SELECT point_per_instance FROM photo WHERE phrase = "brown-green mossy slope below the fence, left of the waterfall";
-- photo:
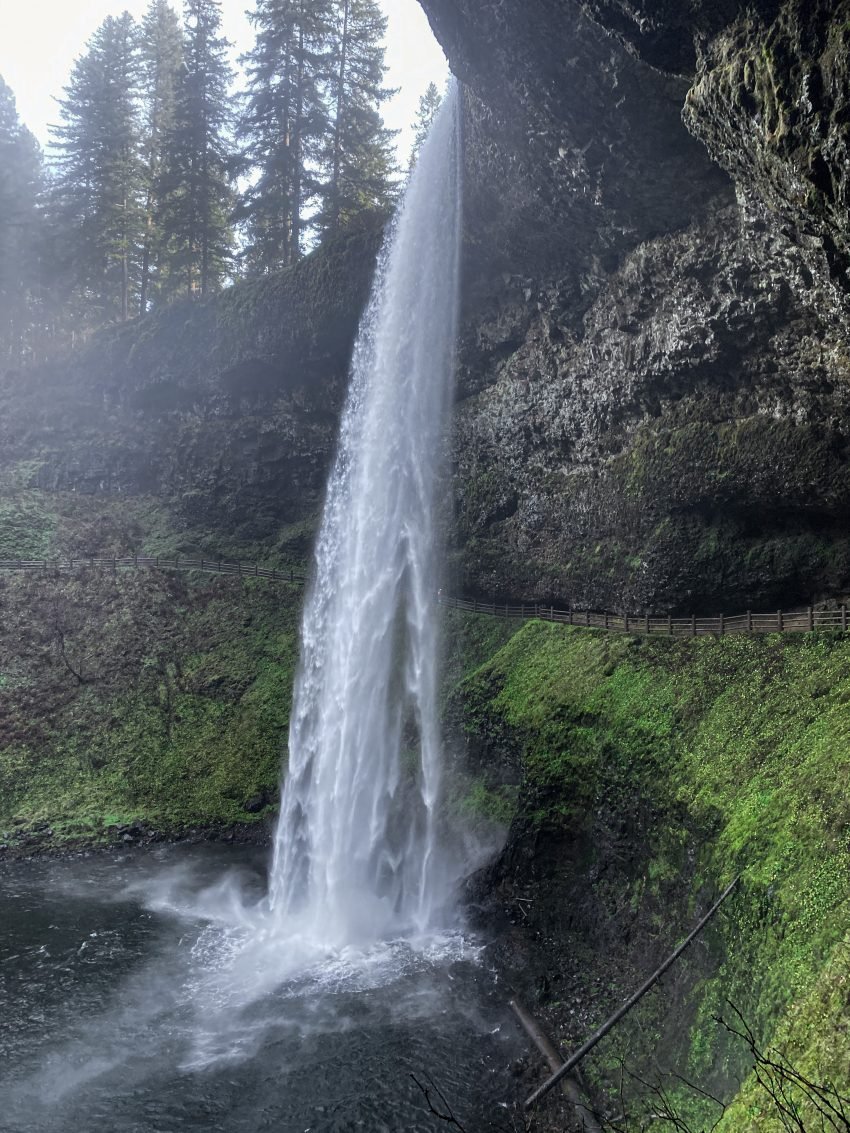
(142, 697)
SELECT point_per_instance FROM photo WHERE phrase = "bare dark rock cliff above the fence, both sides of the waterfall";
(653, 364)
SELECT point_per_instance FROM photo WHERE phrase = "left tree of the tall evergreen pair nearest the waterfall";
(284, 126)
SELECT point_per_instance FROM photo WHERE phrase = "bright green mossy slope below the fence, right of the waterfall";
(738, 751)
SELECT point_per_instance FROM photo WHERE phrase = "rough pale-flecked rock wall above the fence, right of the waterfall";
(684, 446)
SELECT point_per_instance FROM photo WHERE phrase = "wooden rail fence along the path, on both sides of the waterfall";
(804, 620)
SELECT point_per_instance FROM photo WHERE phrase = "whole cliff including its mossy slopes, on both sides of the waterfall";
(652, 416)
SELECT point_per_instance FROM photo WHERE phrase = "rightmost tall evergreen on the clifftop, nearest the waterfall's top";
(360, 156)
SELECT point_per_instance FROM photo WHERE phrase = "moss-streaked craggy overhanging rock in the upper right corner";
(772, 104)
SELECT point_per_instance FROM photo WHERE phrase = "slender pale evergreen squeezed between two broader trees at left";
(161, 55)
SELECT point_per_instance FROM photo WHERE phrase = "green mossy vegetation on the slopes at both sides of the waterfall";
(165, 700)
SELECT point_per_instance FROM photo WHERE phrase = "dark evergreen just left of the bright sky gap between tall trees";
(195, 183)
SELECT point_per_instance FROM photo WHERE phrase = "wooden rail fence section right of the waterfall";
(781, 621)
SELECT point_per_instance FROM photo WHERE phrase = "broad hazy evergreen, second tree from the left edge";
(99, 186)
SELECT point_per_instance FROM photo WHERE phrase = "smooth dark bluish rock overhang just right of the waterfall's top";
(574, 143)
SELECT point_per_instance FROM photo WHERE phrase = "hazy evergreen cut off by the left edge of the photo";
(20, 232)
